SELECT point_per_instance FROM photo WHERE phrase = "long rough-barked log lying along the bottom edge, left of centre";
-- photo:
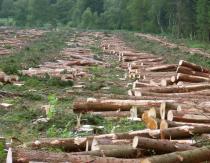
(24, 156)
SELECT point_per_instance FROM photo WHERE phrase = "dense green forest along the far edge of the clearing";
(184, 18)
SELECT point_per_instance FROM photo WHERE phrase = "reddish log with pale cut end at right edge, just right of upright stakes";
(181, 116)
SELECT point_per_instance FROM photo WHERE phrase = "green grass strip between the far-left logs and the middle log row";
(46, 48)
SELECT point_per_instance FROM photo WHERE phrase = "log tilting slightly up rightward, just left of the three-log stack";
(163, 68)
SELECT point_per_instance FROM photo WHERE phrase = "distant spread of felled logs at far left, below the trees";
(12, 39)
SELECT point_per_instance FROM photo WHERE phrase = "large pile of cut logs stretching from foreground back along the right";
(171, 99)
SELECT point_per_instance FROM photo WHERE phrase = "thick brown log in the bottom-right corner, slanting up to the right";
(195, 155)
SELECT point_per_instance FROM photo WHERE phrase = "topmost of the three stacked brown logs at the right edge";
(193, 66)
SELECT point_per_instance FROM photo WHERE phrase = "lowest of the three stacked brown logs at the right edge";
(191, 78)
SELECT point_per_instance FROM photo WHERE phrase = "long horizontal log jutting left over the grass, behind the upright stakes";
(98, 105)
